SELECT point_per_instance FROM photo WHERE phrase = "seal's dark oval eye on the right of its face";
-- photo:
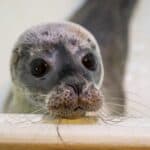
(89, 61)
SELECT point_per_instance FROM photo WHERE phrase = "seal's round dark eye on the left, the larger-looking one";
(39, 67)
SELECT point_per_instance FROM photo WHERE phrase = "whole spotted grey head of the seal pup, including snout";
(58, 66)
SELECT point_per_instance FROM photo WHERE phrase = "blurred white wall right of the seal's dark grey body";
(138, 70)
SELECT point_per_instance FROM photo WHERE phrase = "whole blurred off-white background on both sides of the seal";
(18, 15)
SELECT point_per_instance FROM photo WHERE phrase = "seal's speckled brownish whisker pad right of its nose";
(91, 99)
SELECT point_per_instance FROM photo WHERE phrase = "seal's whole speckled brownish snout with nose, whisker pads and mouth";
(74, 99)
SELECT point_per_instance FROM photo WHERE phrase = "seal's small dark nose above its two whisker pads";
(77, 87)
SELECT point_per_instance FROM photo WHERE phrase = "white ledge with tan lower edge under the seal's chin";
(19, 131)
